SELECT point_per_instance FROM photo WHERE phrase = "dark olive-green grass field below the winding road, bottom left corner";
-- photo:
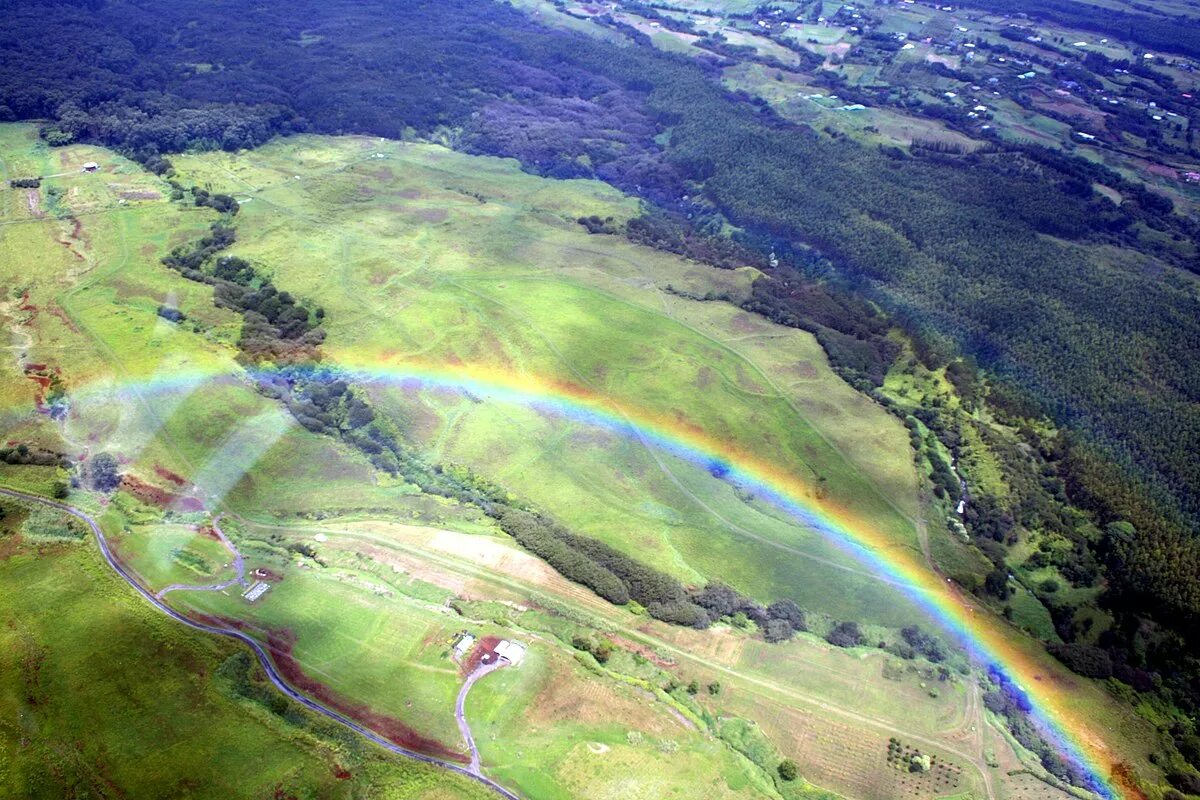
(100, 696)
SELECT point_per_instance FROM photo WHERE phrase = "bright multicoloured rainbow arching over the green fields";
(1016, 663)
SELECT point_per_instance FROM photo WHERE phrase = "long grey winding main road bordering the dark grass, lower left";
(263, 658)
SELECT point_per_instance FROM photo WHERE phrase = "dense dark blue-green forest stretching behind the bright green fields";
(1076, 308)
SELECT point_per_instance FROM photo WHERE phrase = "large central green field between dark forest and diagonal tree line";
(514, 284)
